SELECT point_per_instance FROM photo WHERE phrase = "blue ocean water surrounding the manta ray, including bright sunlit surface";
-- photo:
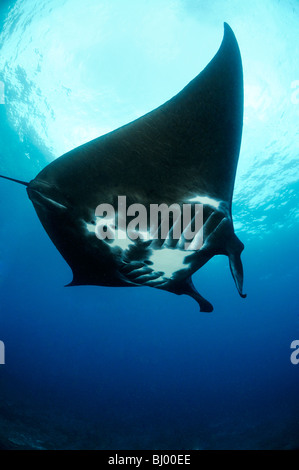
(115, 368)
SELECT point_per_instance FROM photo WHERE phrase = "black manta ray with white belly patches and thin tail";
(185, 151)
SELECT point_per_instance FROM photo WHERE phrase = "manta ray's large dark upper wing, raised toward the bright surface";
(188, 147)
